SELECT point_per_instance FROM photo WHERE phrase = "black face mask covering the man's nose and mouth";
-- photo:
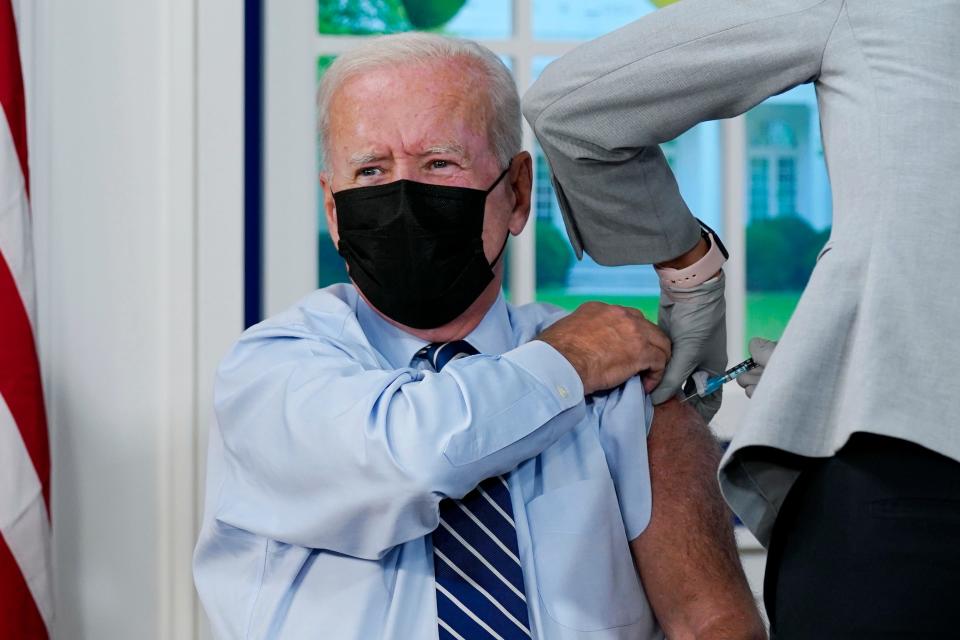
(415, 250)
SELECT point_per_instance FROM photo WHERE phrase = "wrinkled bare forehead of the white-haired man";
(423, 105)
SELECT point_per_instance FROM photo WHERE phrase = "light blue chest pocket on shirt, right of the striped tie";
(585, 572)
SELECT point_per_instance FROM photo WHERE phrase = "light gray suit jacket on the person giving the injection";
(873, 344)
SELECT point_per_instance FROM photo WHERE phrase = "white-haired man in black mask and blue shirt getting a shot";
(411, 457)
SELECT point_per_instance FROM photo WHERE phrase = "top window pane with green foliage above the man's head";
(469, 18)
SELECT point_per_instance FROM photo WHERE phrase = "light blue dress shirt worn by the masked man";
(334, 448)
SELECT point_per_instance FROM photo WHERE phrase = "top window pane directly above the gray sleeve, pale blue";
(566, 20)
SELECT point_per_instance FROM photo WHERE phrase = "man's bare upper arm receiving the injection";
(687, 556)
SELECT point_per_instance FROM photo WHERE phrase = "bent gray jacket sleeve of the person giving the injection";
(601, 111)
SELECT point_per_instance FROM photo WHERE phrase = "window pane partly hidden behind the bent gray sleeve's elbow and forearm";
(562, 280)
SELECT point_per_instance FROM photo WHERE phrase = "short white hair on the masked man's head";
(504, 132)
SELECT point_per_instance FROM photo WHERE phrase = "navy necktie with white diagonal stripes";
(476, 562)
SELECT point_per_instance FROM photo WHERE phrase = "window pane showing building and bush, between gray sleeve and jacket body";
(789, 211)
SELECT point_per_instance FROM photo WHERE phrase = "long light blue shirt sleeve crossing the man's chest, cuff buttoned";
(325, 449)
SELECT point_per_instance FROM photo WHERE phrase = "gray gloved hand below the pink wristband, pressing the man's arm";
(695, 320)
